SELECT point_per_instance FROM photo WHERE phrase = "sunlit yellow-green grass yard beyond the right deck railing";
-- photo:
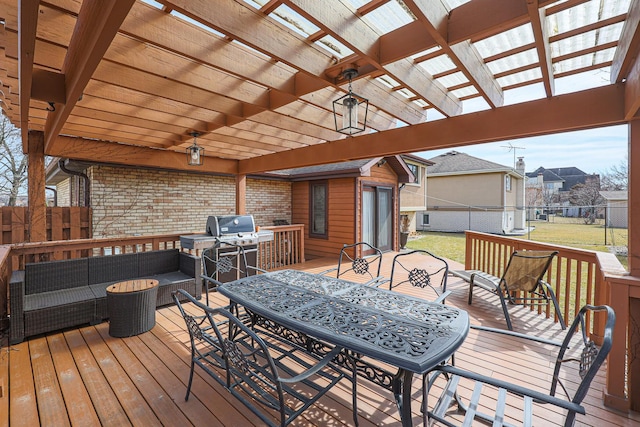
(558, 231)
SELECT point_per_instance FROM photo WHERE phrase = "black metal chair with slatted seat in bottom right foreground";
(586, 359)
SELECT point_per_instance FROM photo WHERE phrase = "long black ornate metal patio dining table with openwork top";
(375, 325)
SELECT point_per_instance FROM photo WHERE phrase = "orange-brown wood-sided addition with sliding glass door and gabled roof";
(348, 202)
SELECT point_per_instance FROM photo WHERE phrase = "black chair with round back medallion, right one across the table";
(433, 275)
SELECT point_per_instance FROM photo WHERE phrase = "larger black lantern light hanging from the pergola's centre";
(348, 107)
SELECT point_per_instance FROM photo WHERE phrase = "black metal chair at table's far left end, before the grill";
(221, 259)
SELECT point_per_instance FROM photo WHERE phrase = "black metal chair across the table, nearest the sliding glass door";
(367, 264)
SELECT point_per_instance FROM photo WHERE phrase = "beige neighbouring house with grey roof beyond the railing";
(468, 193)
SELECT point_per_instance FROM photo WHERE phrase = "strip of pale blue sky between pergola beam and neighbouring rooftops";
(592, 151)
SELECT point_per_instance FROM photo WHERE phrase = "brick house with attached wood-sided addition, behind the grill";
(338, 203)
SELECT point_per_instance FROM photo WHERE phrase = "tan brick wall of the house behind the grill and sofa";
(129, 201)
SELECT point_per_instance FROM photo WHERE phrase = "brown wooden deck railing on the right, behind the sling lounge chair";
(576, 275)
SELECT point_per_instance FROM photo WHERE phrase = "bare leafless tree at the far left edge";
(13, 162)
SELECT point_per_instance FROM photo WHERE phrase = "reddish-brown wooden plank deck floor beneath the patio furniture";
(84, 377)
